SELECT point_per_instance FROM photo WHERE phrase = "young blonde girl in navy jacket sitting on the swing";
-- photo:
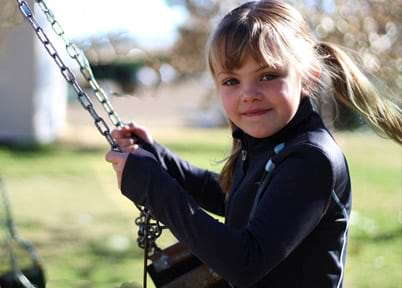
(285, 190)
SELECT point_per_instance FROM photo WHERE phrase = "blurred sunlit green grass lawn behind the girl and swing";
(64, 200)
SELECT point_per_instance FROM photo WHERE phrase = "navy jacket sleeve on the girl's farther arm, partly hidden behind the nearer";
(202, 184)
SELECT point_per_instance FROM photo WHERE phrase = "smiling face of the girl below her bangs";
(258, 99)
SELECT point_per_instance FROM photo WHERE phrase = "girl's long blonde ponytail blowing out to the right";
(354, 90)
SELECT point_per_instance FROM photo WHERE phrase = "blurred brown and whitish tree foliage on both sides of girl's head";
(372, 28)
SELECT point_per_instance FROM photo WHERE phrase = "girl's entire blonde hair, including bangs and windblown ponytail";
(274, 33)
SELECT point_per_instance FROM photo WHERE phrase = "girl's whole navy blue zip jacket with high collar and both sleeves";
(298, 233)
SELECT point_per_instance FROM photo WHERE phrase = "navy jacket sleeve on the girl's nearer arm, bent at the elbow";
(290, 208)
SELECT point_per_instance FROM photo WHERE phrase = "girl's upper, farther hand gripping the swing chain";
(124, 136)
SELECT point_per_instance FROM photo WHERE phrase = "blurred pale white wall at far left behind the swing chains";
(33, 93)
